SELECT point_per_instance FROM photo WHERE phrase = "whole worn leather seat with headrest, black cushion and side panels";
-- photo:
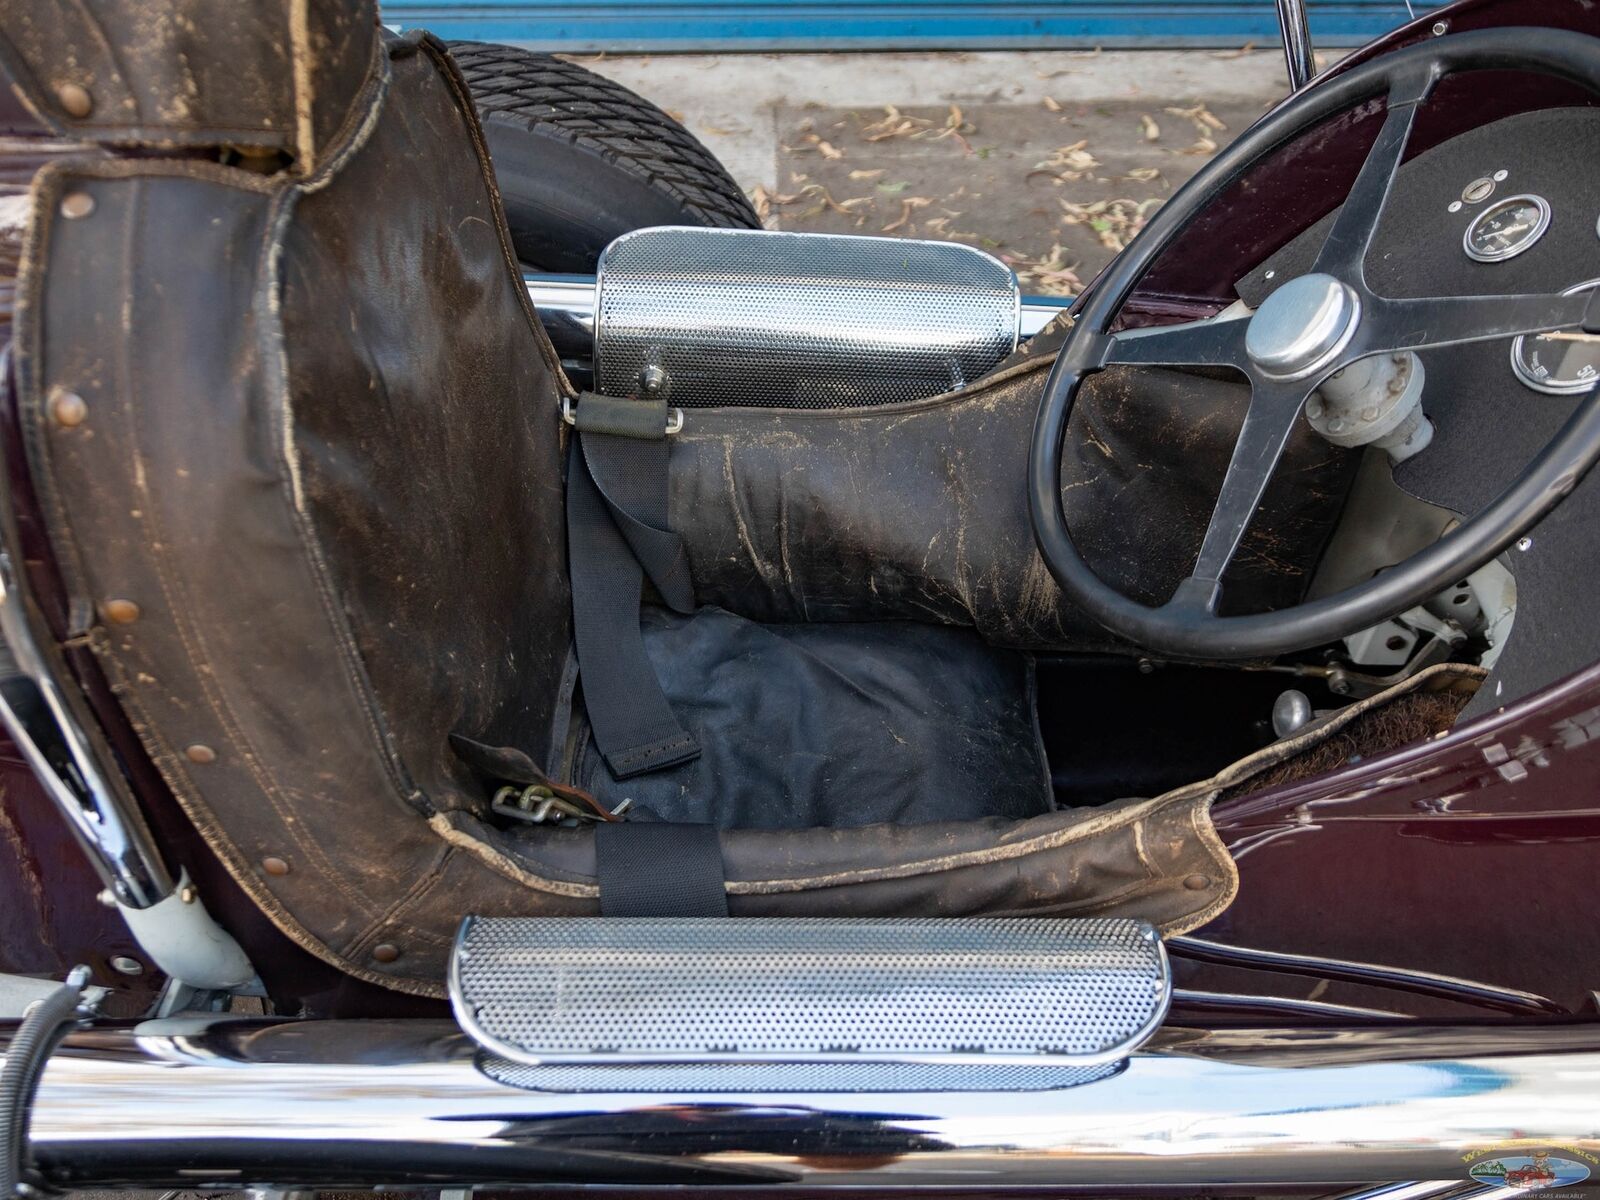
(322, 478)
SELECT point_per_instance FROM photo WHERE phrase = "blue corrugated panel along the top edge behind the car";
(887, 25)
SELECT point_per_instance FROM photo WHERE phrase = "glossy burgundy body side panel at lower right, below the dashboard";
(1474, 855)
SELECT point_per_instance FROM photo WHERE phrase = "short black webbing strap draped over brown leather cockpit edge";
(660, 870)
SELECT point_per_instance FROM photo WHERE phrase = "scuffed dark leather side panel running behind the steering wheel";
(919, 511)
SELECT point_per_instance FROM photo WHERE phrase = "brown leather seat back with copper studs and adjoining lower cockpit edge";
(322, 462)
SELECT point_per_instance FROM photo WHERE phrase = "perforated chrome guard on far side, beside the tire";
(799, 321)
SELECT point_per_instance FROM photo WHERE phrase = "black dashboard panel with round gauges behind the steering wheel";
(1489, 426)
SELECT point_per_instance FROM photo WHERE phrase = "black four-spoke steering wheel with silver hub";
(1305, 332)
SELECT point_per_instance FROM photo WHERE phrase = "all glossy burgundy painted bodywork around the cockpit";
(1476, 855)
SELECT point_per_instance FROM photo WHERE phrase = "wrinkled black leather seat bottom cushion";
(838, 726)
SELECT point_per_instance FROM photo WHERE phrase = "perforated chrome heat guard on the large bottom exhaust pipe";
(806, 1004)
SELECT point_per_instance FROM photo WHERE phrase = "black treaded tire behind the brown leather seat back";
(582, 159)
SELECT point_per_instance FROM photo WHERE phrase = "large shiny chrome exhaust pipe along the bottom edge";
(303, 1103)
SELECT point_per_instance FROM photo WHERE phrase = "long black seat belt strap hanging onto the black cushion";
(617, 534)
